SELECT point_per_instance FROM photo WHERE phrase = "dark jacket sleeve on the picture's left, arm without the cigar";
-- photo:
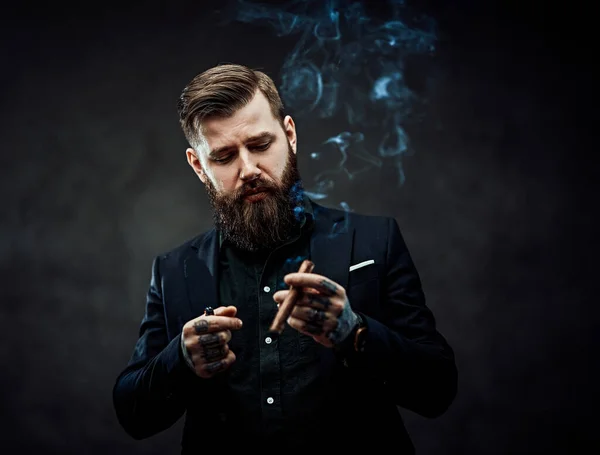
(148, 395)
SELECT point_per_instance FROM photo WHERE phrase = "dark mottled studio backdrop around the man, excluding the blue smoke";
(497, 210)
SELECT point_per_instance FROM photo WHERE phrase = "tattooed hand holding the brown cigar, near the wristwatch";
(322, 310)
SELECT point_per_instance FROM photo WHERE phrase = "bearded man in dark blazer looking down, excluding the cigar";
(359, 342)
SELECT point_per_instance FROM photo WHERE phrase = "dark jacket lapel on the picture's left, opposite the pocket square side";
(200, 270)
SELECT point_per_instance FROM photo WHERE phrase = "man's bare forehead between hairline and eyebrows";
(253, 118)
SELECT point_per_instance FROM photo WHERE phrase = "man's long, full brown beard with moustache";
(262, 225)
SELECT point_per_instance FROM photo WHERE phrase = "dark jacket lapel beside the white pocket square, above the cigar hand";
(331, 244)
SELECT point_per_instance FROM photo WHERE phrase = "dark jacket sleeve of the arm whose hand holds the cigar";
(404, 349)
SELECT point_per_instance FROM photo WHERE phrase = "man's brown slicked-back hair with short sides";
(219, 92)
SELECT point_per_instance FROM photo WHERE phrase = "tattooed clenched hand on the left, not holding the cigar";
(206, 338)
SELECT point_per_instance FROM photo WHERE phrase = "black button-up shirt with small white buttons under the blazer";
(272, 384)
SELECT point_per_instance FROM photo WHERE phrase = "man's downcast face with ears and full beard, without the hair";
(247, 163)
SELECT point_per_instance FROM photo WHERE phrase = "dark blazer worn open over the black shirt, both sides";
(407, 363)
